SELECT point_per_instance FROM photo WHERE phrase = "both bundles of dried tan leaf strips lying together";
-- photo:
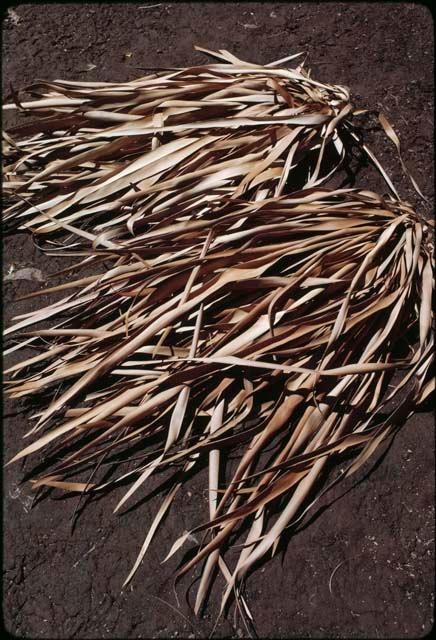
(237, 304)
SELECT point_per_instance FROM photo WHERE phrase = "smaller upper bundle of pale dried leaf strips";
(109, 160)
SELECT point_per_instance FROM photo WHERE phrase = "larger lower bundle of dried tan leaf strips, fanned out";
(288, 323)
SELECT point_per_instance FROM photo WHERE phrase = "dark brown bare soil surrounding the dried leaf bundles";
(365, 567)
